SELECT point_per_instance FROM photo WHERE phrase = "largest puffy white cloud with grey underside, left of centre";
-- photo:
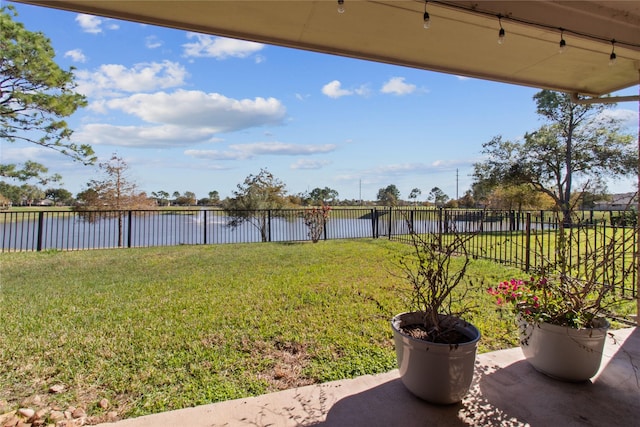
(200, 109)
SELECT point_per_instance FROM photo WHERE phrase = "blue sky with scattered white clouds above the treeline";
(190, 112)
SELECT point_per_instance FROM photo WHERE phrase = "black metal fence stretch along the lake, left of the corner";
(64, 230)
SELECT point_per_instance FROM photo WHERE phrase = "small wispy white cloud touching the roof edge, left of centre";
(206, 46)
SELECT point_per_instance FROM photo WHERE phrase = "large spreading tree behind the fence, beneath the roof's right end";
(578, 143)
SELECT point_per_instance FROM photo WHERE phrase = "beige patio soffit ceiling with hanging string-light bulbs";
(462, 38)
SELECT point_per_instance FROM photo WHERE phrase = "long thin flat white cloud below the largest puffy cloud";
(249, 151)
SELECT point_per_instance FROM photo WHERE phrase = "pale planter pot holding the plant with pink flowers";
(562, 352)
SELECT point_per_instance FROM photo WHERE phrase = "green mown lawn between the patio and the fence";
(157, 329)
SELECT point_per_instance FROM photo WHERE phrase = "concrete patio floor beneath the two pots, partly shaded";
(506, 391)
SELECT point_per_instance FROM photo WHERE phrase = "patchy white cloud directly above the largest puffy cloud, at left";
(110, 79)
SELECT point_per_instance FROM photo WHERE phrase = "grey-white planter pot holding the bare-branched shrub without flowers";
(437, 373)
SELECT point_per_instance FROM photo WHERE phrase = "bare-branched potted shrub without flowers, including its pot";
(435, 346)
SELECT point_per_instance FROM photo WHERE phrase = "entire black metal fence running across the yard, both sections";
(522, 239)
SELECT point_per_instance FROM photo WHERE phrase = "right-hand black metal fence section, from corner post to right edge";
(601, 245)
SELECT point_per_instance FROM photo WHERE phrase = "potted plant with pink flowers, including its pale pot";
(561, 311)
